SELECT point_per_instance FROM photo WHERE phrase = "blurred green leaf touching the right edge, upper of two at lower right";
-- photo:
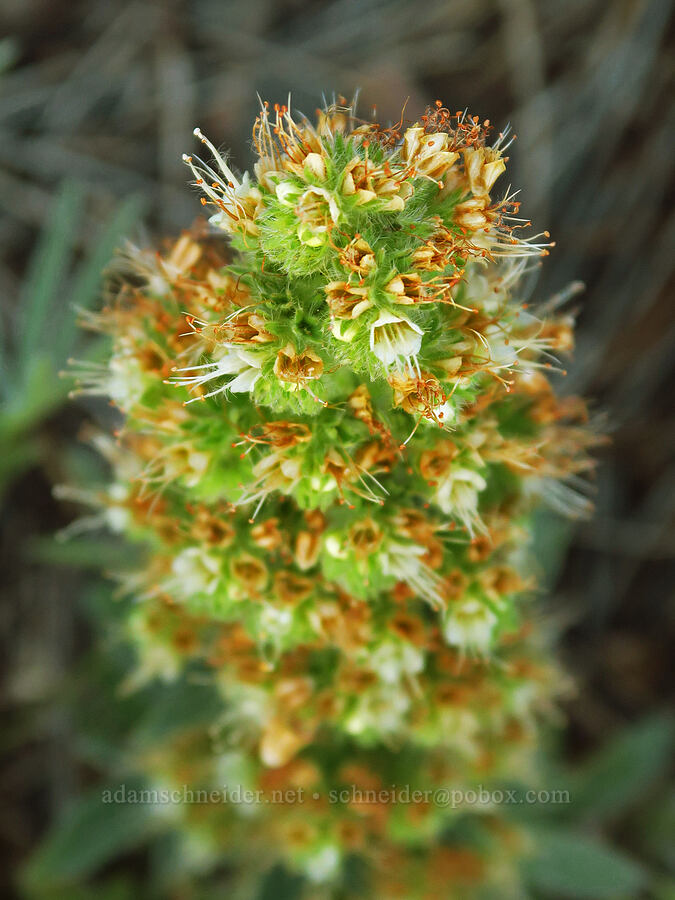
(623, 770)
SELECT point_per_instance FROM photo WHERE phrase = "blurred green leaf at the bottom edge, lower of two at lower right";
(576, 866)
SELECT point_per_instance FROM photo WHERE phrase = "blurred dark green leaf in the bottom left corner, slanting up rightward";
(90, 834)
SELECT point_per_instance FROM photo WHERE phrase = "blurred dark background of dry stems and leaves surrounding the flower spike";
(98, 99)
